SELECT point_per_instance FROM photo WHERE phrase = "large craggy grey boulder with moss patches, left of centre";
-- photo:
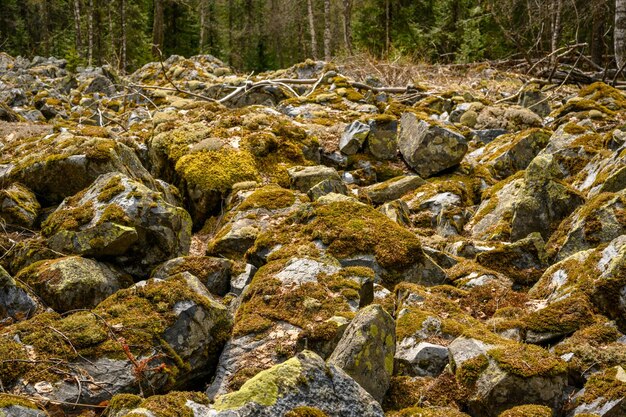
(121, 219)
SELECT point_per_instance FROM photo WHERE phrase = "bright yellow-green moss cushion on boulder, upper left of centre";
(217, 170)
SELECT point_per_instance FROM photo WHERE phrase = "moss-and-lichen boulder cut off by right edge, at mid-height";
(598, 221)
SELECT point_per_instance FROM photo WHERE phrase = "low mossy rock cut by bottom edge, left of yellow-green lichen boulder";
(172, 404)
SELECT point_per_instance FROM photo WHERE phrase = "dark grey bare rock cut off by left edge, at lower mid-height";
(15, 302)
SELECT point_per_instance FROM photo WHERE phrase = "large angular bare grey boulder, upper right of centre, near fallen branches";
(429, 149)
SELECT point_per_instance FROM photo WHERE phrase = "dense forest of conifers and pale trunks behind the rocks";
(268, 34)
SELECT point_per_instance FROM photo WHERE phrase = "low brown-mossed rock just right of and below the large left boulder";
(214, 273)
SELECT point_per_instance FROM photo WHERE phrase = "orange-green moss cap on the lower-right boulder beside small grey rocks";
(528, 361)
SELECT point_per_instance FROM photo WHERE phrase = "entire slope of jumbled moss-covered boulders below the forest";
(194, 243)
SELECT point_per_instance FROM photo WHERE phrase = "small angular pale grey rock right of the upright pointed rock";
(421, 359)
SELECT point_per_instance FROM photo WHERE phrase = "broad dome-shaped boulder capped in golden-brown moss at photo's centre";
(356, 235)
